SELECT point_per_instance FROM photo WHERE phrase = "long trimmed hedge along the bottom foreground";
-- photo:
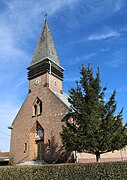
(94, 171)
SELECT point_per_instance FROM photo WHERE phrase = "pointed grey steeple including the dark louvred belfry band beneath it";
(45, 58)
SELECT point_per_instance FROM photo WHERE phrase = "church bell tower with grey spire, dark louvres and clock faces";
(45, 65)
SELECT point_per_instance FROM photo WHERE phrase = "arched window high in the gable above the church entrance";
(37, 107)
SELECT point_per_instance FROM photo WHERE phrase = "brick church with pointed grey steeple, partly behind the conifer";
(35, 131)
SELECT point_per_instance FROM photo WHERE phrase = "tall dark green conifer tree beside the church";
(96, 128)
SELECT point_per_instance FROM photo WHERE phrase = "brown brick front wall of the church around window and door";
(24, 125)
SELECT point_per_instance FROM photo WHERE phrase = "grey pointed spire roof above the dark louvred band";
(45, 48)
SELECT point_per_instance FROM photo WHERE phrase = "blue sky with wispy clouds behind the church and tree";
(84, 31)
